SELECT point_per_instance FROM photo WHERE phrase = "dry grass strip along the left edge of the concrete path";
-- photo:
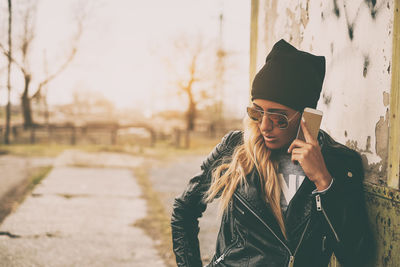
(17, 195)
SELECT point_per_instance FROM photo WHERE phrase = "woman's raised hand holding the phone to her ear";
(309, 155)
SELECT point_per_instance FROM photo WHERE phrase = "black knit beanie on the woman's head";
(290, 77)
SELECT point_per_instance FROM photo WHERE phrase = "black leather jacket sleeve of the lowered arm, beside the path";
(189, 206)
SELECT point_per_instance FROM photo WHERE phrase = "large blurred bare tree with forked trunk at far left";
(28, 19)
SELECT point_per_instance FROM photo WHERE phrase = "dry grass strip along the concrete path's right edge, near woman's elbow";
(157, 223)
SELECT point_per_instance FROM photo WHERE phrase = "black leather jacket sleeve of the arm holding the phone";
(343, 208)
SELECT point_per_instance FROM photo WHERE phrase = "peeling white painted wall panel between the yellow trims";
(356, 39)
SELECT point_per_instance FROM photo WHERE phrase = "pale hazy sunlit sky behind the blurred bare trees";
(125, 41)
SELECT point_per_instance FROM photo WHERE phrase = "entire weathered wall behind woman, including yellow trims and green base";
(360, 89)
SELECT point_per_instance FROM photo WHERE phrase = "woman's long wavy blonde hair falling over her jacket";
(251, 154)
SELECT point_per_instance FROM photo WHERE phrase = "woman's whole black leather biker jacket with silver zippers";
(316, 224)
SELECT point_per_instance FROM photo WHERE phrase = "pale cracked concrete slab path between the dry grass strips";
(81, 216)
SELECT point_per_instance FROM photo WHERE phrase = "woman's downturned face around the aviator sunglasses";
(274, 137)
